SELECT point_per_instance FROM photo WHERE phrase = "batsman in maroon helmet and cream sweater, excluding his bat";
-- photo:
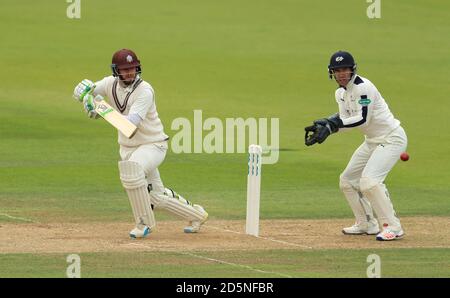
(142, 154)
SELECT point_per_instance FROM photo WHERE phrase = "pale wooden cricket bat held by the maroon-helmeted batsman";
(119, 121)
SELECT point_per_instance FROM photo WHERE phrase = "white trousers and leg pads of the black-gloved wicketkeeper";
(362, 181)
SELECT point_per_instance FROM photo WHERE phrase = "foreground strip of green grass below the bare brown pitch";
(233, 264)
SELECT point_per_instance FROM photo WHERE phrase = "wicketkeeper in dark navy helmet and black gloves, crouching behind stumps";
(362, 182)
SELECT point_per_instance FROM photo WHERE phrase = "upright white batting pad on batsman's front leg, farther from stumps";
(133, 180)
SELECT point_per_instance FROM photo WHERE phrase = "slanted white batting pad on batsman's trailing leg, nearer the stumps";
(177, 205)
